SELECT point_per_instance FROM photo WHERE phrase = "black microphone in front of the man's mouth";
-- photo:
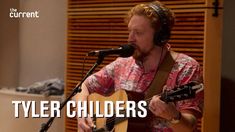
(126, 50)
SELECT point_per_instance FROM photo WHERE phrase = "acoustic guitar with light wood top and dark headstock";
(123, 124)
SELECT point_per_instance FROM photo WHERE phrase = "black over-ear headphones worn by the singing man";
(163, 34)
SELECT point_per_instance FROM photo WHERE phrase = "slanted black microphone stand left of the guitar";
(77, 89)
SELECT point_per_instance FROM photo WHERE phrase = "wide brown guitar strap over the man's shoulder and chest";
(161, 76)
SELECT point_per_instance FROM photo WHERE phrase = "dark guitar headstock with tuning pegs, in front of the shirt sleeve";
(181, 93)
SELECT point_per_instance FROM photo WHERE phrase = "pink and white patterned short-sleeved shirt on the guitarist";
(127, 74)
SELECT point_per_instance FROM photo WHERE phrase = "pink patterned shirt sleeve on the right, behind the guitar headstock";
(189, 70)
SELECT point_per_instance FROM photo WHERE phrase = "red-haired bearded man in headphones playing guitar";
(149, 30)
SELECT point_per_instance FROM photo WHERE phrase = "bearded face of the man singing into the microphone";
(141, 35)
